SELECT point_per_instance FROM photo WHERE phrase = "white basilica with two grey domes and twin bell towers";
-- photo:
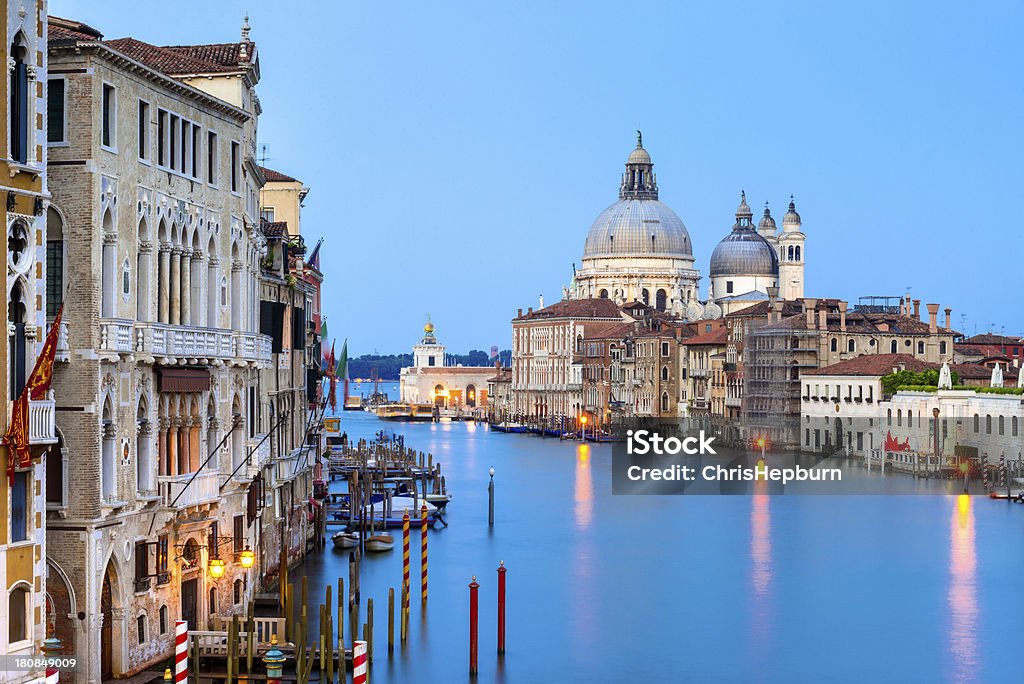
(639, 250)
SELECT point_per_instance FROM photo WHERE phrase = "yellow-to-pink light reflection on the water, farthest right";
(963, 592)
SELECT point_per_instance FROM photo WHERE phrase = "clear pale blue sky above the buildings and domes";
(459, 153)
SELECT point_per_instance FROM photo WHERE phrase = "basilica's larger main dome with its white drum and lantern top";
(638, 248)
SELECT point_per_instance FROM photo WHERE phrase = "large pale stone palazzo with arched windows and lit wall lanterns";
(155, 237)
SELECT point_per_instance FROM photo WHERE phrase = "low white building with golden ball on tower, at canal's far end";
(432, 380)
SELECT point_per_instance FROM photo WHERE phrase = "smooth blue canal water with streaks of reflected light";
(607, 588)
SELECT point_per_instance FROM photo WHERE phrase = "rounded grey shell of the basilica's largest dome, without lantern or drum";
(646, 228)
